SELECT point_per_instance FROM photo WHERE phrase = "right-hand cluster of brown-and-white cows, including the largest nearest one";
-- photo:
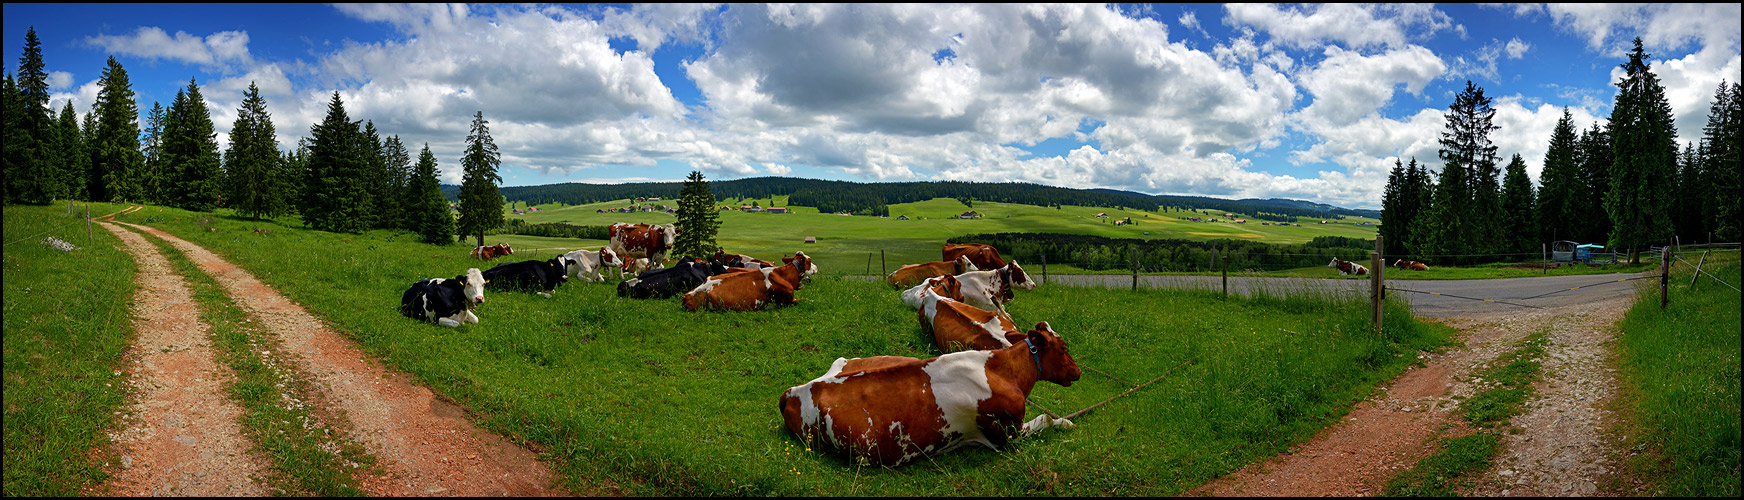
(890, 410)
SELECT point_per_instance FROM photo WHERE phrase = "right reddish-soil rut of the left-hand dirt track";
(425, 445)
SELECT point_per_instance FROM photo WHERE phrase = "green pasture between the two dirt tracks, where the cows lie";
(651, 400)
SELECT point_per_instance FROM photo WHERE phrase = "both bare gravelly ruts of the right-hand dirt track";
(1558, 450)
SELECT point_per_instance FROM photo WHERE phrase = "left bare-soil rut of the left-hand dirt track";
(182, 435)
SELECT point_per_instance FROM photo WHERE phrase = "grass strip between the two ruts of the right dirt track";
(1508, 384)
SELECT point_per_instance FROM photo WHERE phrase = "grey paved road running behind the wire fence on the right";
(1429, 299)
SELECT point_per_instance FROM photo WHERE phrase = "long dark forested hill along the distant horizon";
(876, 198)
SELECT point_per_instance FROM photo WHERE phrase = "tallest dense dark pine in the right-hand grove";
(1645, 159)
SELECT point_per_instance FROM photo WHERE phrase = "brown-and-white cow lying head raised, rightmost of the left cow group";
(753, 290)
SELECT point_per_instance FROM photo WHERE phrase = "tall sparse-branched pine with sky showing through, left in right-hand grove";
(1466, 140)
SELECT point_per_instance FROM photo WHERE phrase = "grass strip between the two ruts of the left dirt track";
(308, 456)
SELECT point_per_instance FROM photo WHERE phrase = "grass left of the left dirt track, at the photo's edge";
(67, 325)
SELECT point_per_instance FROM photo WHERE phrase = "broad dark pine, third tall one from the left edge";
(191, 154)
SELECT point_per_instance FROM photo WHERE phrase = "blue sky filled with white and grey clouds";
(1243, 100)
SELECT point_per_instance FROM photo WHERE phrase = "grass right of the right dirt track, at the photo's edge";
(1680, 375)
